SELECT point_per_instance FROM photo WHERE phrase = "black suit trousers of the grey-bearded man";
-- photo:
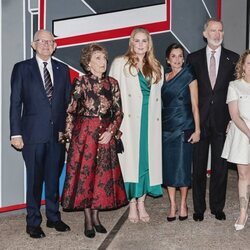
(218, 178)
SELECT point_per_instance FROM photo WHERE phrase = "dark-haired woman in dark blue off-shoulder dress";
(181, 128)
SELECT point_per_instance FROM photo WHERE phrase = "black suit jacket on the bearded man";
(212, 102)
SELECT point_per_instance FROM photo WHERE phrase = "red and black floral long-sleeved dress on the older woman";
(93, 176)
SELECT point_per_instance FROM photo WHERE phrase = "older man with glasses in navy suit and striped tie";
(40, 89)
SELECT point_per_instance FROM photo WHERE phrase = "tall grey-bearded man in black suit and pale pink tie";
(214, 67)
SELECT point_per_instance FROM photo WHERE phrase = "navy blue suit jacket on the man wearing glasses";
(31, 114)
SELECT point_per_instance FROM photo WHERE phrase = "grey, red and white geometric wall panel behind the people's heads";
(76, 23)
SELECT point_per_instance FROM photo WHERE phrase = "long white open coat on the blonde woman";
(132, 105)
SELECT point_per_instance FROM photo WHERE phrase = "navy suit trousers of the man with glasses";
(44, 163)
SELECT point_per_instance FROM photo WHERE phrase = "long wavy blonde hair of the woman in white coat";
(151, 67)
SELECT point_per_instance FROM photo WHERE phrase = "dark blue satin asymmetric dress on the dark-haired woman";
(177, 117)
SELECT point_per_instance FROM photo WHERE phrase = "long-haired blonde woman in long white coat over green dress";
(140, 77)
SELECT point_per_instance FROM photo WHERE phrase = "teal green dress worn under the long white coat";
(136, 190)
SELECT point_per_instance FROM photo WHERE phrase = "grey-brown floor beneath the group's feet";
(157, 234)
